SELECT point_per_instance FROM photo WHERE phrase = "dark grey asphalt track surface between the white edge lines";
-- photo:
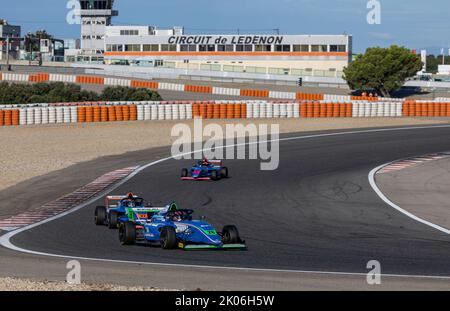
(317, 212)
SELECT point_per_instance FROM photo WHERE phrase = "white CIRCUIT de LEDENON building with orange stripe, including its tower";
(148, 46)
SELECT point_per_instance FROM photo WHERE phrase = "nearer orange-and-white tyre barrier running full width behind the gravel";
(89, 112)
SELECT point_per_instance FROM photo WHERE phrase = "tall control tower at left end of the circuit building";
(95, 16)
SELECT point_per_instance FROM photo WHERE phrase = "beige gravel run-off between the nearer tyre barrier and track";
(33, 151)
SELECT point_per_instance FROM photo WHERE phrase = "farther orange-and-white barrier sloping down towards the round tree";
(250, 93)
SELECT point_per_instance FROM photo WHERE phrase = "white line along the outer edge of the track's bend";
(5, 240)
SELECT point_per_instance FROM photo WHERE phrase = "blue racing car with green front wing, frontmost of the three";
(174, 228)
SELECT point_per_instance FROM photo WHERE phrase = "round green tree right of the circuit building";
(382, 69)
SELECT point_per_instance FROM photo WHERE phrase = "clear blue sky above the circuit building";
(416, 24)
